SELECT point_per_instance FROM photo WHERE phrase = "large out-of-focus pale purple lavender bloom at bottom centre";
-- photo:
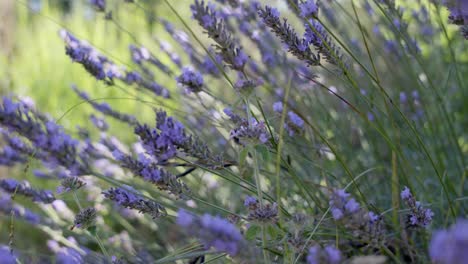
(213, 231)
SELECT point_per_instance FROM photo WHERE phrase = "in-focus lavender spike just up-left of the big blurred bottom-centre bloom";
(129, 199)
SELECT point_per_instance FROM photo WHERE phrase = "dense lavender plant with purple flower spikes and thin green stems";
(249, 104)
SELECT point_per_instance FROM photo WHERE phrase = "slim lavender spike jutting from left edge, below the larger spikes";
(23, 188)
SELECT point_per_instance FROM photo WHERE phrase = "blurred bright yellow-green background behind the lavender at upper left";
(33, 62)
